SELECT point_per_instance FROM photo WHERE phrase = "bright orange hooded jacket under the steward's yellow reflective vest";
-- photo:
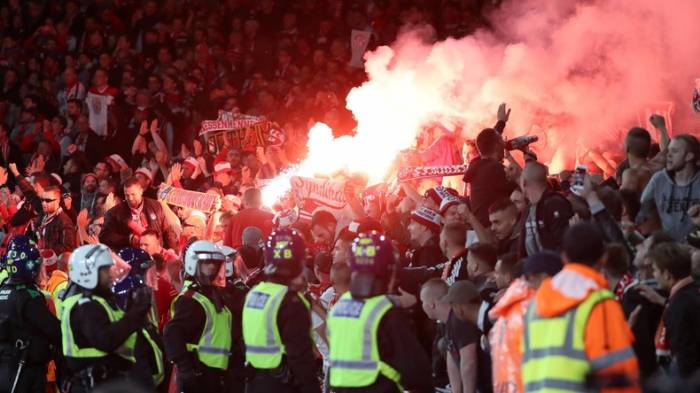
(607, 337)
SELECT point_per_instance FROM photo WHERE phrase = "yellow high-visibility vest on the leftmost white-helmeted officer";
(71, 348)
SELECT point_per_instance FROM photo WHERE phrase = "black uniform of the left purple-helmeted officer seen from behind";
(298, 371)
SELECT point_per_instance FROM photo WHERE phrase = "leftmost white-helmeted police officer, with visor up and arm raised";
(98, 337)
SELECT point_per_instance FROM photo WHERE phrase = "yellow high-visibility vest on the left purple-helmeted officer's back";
(263, 344)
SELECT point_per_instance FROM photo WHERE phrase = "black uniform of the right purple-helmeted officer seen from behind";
(399, 348)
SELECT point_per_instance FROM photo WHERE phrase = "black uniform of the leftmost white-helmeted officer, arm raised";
(92, 328)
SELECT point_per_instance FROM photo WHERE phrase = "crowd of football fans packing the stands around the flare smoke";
(101, 103)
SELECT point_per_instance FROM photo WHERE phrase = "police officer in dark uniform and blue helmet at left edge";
(28, 330)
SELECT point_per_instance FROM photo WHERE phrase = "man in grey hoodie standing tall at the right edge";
(674, 190)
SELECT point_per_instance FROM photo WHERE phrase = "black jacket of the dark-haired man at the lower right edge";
(682, 322)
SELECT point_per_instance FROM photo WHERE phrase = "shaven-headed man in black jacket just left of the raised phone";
(547, 217)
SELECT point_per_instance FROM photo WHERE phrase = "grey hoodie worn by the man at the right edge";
(671, 202)
